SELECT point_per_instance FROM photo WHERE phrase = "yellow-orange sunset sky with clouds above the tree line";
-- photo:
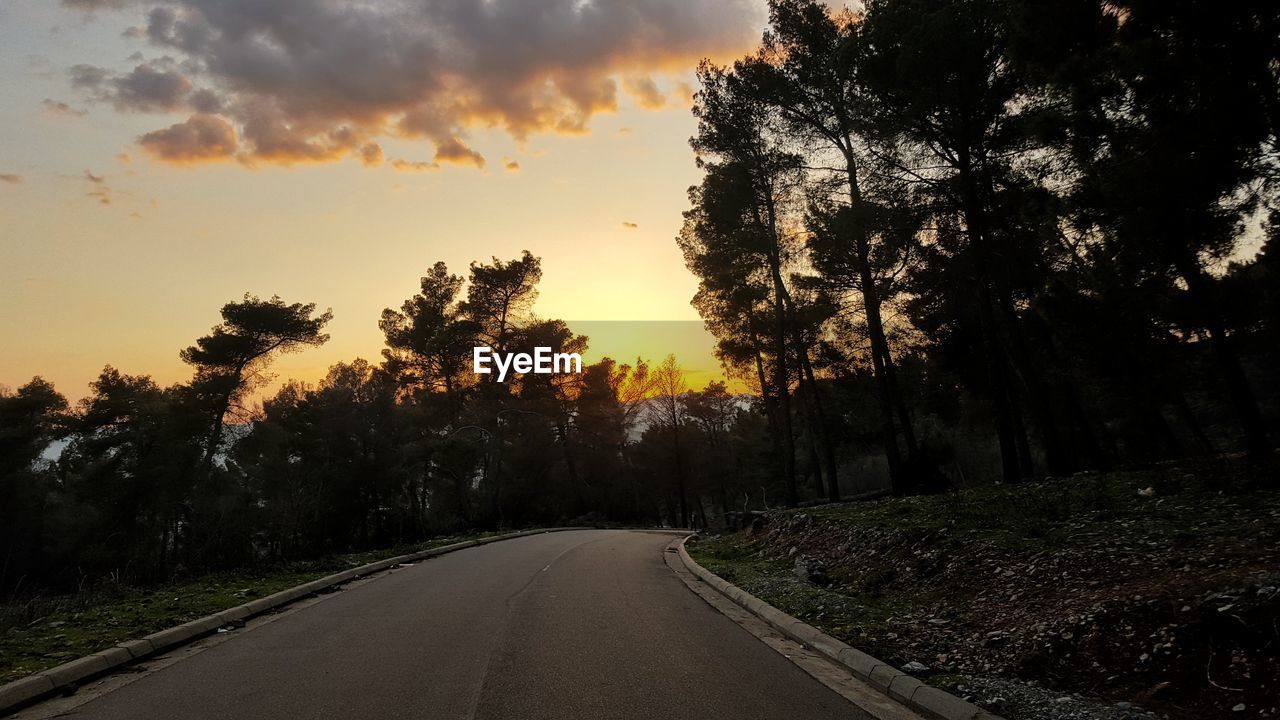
(161, 158)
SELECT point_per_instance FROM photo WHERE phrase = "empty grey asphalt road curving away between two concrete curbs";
(586, 625)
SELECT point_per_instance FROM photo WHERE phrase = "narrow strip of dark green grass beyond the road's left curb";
(44, 632)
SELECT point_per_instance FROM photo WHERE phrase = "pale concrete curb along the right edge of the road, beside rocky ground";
(893, 682)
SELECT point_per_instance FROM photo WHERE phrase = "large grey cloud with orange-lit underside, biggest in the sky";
(319, 80)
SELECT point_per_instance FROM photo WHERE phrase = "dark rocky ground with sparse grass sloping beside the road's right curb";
(1142, 594)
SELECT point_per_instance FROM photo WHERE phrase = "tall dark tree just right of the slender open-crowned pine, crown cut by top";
(944, 103)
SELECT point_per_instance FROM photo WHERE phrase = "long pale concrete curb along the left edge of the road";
(70, 675)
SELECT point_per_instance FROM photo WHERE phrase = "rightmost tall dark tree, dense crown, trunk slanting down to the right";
(1173, 145)
